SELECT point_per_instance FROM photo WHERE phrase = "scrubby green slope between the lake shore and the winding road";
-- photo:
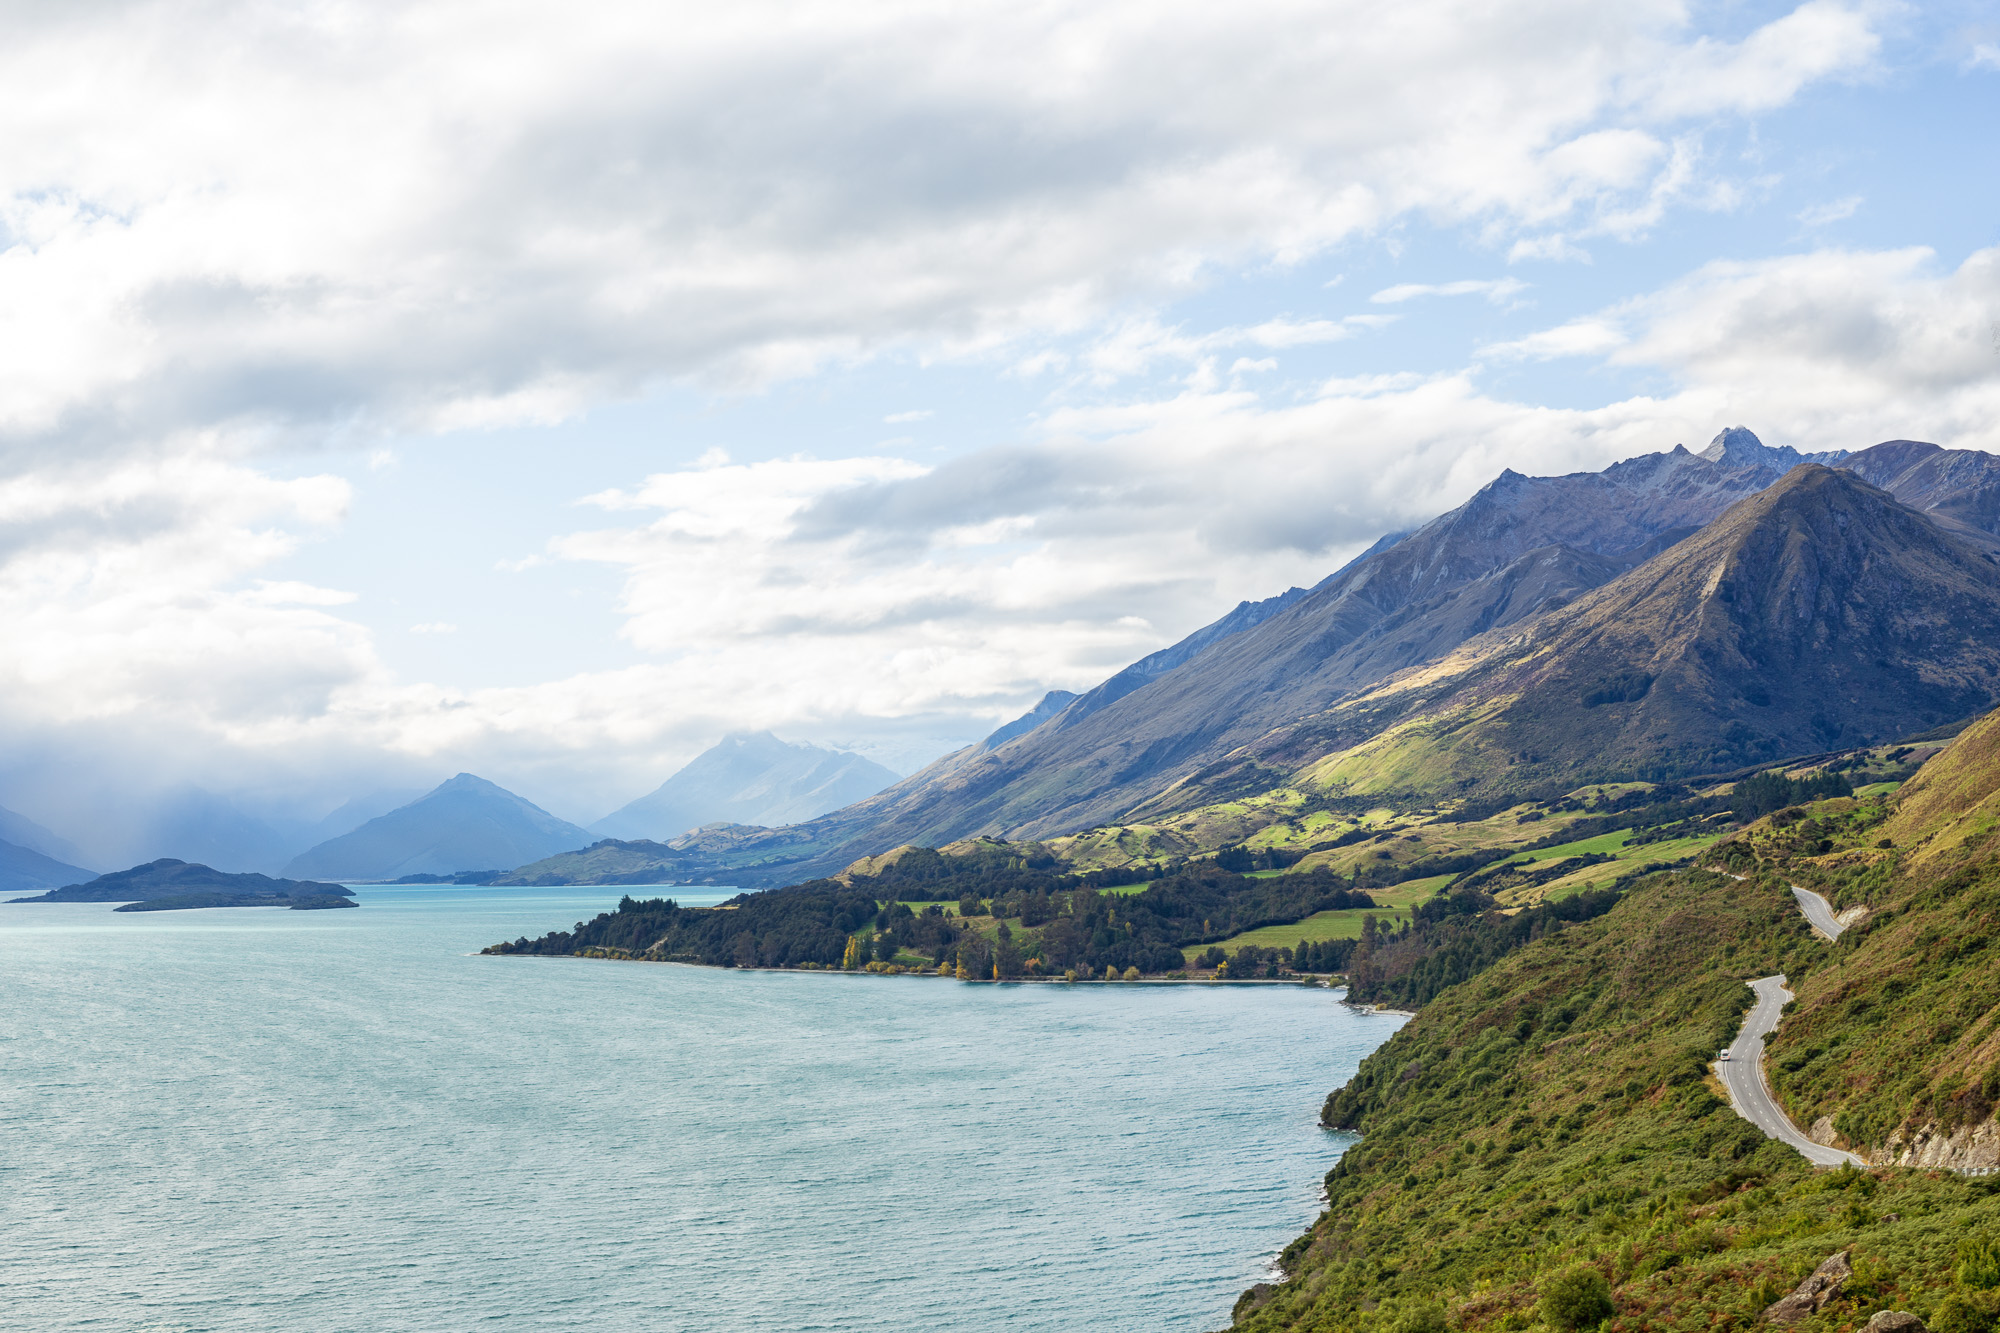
(1559, 1112)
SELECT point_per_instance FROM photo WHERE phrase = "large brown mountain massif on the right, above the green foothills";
(1251, 702)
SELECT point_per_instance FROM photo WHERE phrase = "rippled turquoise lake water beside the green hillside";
(341, 1120)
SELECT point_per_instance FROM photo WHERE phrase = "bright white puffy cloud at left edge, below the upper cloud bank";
(133, 591)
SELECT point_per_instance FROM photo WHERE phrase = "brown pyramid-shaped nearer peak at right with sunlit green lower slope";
(1817, 613)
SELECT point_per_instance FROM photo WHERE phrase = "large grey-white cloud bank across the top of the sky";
(347, 217)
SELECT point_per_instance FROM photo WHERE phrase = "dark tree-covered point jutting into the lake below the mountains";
(1067, 922)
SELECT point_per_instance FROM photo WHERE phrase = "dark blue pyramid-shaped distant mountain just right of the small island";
(461, 826)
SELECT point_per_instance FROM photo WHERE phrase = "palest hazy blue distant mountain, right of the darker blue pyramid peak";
(749, 780)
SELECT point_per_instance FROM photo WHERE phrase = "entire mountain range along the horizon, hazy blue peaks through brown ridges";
(1667, 615)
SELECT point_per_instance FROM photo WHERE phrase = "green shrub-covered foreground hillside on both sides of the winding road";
(1557, 1112)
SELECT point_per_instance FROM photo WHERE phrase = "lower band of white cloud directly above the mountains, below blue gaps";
(835, 595)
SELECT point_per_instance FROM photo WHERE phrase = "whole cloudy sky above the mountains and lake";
(545, 391)
